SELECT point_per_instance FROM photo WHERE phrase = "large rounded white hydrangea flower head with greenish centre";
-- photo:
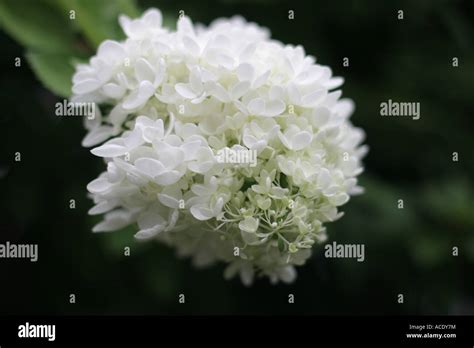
(172, 99)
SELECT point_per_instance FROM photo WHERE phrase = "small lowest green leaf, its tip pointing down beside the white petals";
(53, 70)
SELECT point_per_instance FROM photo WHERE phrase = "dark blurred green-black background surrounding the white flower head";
(408, 251)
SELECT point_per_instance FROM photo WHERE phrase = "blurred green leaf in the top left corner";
(37, 24)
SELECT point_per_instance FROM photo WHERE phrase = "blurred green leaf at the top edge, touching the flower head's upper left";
(98, 20)
